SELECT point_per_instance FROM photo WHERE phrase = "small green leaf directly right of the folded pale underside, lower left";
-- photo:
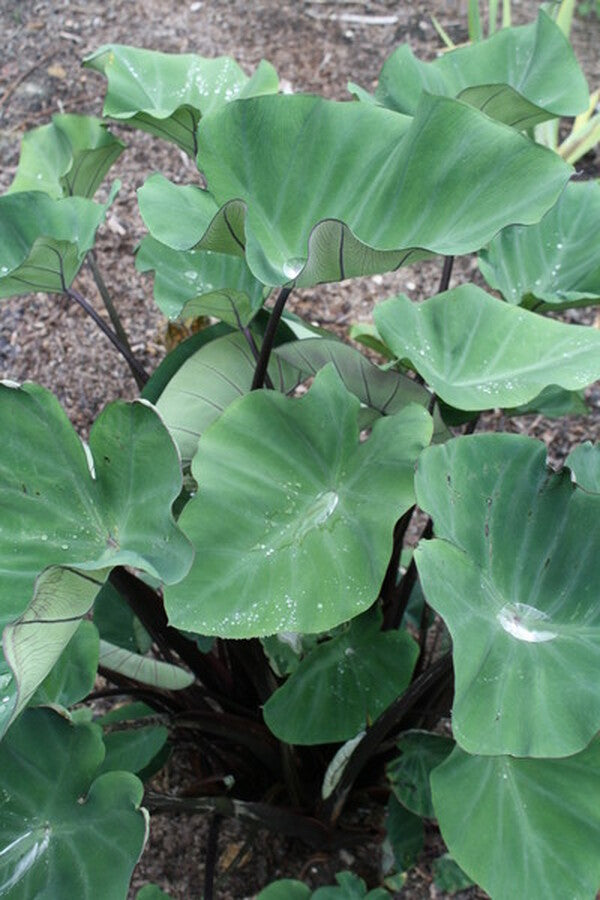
(73, 675)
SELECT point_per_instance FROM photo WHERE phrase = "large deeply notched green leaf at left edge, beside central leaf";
(54, 512)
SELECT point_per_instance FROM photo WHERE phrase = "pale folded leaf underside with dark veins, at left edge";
(33, 644)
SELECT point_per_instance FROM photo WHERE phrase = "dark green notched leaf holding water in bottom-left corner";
(65, 832)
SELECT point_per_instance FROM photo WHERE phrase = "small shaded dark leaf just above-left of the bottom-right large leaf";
(408, 774)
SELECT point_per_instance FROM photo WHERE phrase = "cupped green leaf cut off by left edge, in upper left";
(43, 241)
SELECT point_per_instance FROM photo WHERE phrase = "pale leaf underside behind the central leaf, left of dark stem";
(208, 382)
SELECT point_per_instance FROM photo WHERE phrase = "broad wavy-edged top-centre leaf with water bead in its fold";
(351, 189)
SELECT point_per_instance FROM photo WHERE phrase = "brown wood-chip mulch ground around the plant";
(315, 47)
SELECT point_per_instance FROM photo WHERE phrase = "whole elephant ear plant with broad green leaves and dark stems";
(230, 553)
